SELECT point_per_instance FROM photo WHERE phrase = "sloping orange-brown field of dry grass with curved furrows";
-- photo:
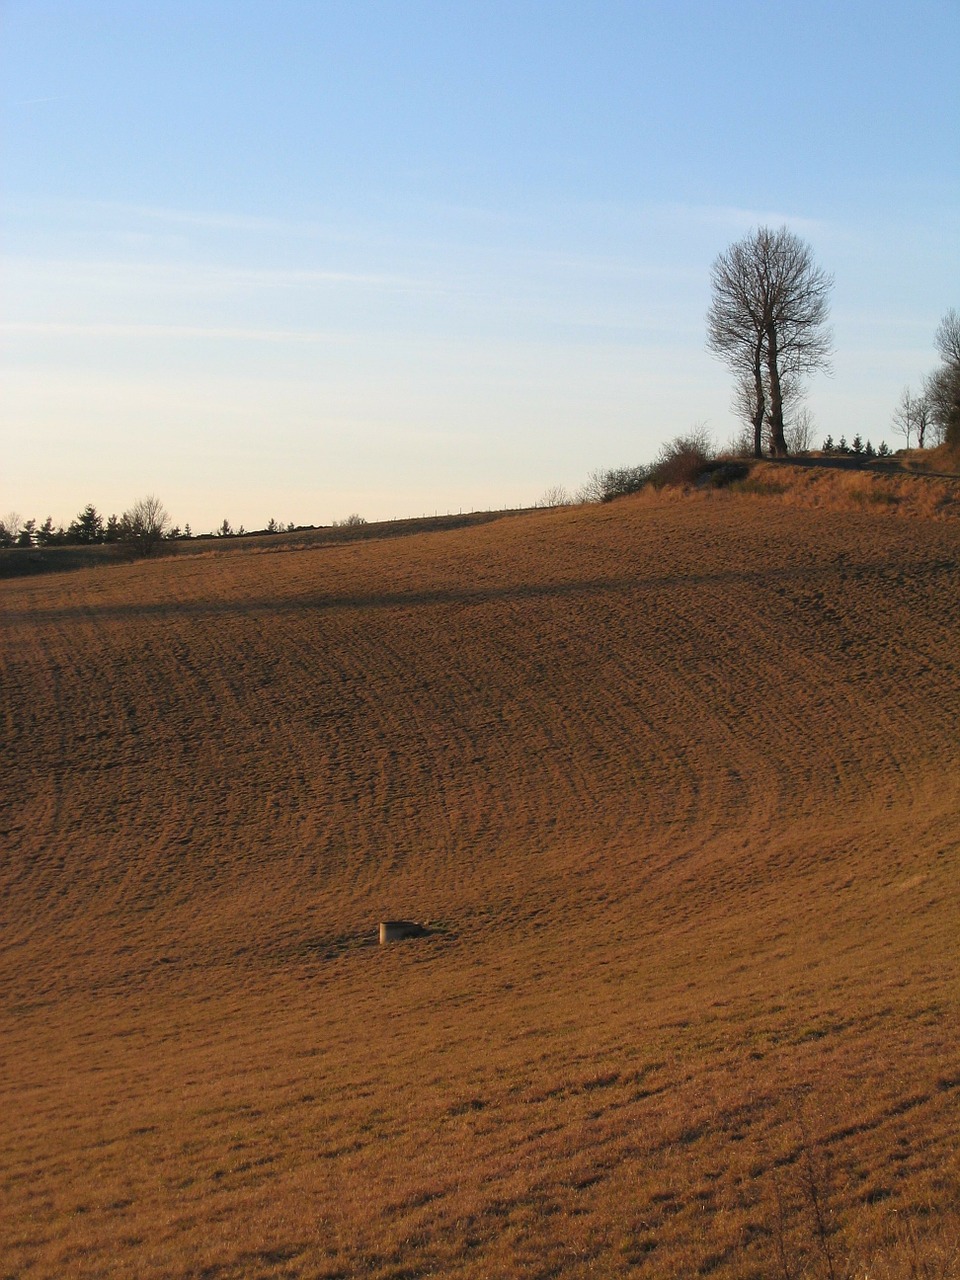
(679, 784)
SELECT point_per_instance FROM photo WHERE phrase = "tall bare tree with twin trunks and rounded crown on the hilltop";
(769, 322)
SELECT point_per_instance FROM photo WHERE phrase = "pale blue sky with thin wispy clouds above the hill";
(275, 259)
